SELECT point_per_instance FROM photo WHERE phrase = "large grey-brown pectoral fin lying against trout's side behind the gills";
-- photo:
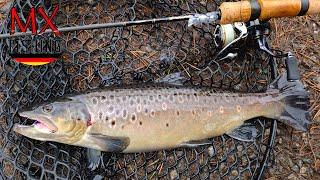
(108, 143)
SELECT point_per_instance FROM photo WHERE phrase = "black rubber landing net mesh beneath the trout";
(103, 57)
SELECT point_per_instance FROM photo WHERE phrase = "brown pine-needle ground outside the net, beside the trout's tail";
(297, 154)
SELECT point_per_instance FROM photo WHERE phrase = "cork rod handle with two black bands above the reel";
(243, 11)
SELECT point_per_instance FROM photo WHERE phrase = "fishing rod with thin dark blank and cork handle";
(229, 12)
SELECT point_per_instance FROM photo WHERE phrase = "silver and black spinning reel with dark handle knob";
(254, 33)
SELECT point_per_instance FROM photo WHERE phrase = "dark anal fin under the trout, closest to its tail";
(246, 132)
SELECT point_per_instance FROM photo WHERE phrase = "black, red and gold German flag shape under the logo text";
(35, 59)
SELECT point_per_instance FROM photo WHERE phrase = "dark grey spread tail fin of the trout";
(296, 99)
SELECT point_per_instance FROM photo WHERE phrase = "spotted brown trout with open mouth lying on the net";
(152, 118)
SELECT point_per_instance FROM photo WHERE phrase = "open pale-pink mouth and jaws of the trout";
(39, 122)
